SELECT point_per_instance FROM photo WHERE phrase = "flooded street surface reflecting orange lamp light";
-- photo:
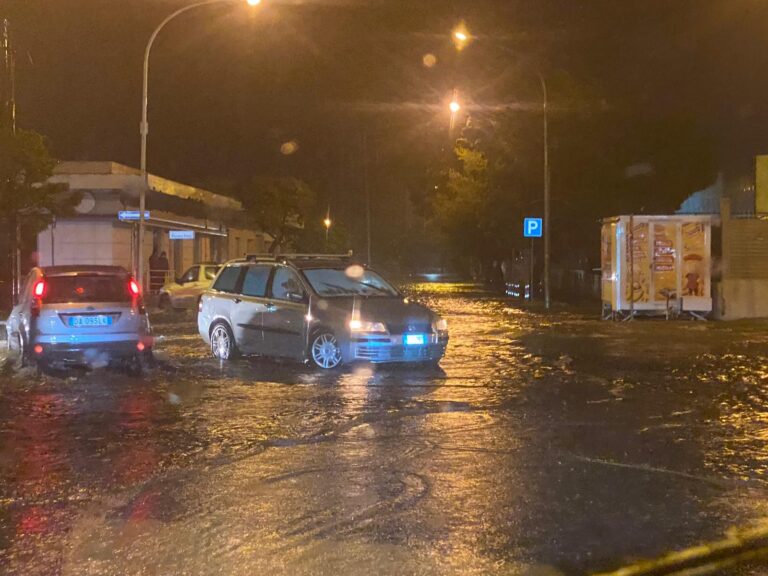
(544, 441)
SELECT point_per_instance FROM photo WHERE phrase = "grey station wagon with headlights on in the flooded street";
(321, 309)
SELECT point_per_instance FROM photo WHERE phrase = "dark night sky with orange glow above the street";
(229, 84)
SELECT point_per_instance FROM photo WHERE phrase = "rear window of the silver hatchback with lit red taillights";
(86, 288)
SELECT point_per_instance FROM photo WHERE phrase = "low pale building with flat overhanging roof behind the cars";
(104, 232)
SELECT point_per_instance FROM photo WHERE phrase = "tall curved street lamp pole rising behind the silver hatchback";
(144, 127)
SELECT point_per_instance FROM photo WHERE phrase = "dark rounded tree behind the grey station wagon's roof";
(281, 207)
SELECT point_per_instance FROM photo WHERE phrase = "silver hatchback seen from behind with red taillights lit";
(80, 315)
